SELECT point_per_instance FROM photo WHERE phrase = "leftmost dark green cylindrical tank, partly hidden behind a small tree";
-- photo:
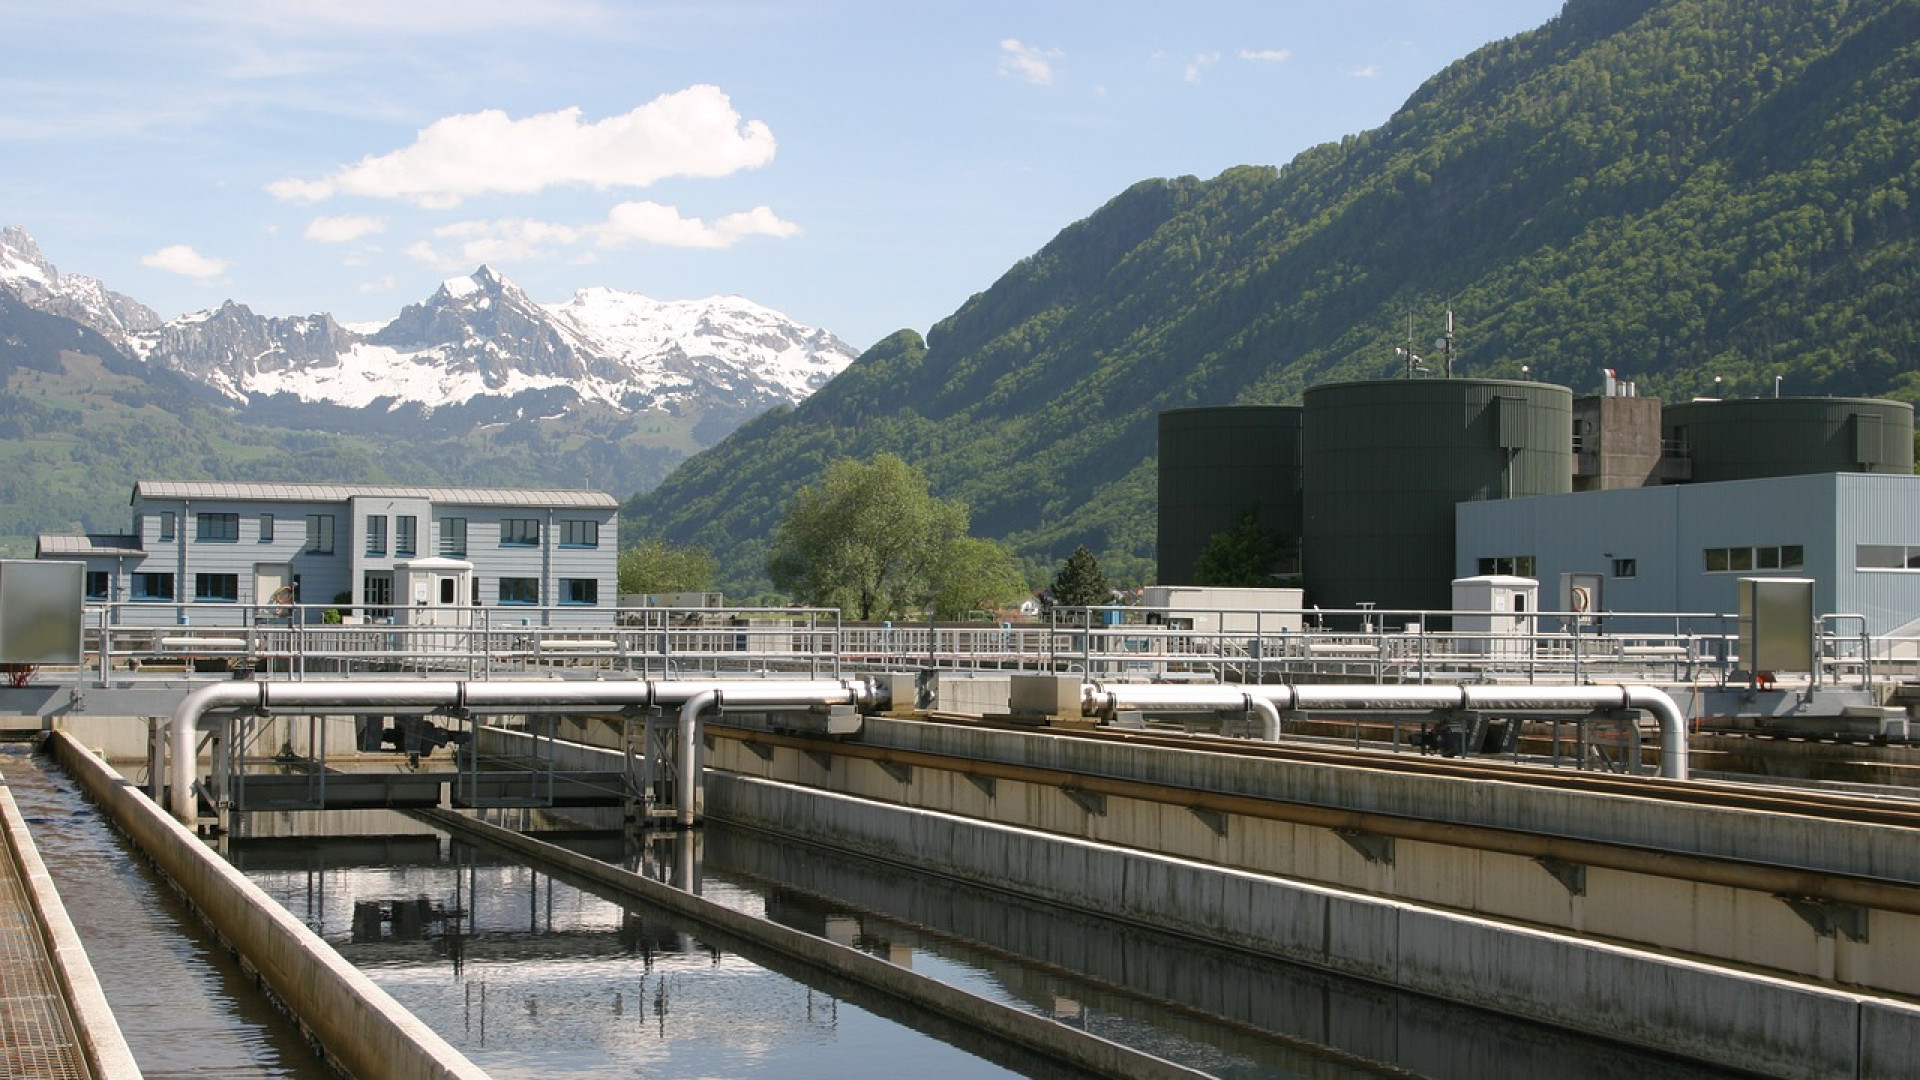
(1218, 466)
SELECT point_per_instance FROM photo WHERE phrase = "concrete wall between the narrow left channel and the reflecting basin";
(360, 1025)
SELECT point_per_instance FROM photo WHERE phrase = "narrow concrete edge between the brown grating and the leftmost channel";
(103, 1044)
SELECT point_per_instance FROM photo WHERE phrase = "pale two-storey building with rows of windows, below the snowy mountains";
(212, 545)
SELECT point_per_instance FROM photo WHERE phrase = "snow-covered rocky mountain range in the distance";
(479, 341)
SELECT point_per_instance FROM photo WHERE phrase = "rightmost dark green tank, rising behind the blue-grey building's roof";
(1748, 439)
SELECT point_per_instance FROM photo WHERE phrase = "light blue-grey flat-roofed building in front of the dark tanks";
(1687, 547)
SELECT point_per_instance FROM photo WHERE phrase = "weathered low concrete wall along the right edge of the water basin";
(1729, 1018)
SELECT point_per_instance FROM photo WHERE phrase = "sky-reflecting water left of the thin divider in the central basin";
(533, 977)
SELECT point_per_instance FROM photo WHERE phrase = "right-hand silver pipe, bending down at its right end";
(1107, 700)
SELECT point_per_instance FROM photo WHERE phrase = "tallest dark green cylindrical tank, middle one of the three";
(1387, 462)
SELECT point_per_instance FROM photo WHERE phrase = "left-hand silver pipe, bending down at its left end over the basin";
(483, 695)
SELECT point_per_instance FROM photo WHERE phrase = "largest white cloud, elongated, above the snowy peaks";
(688, 134)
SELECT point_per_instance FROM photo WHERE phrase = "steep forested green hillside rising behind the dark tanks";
(1679, 189)
